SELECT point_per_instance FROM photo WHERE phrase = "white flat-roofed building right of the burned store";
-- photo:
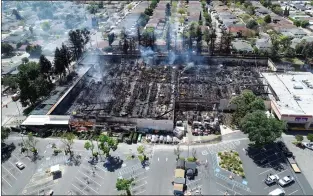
(291, 98)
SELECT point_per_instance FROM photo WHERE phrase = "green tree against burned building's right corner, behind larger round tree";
(246, 102)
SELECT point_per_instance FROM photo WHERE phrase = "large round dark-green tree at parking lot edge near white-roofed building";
(260, 129)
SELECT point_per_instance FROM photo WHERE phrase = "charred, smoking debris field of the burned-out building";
(134, 88)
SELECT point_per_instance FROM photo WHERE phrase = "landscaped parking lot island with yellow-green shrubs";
(231, 161)
